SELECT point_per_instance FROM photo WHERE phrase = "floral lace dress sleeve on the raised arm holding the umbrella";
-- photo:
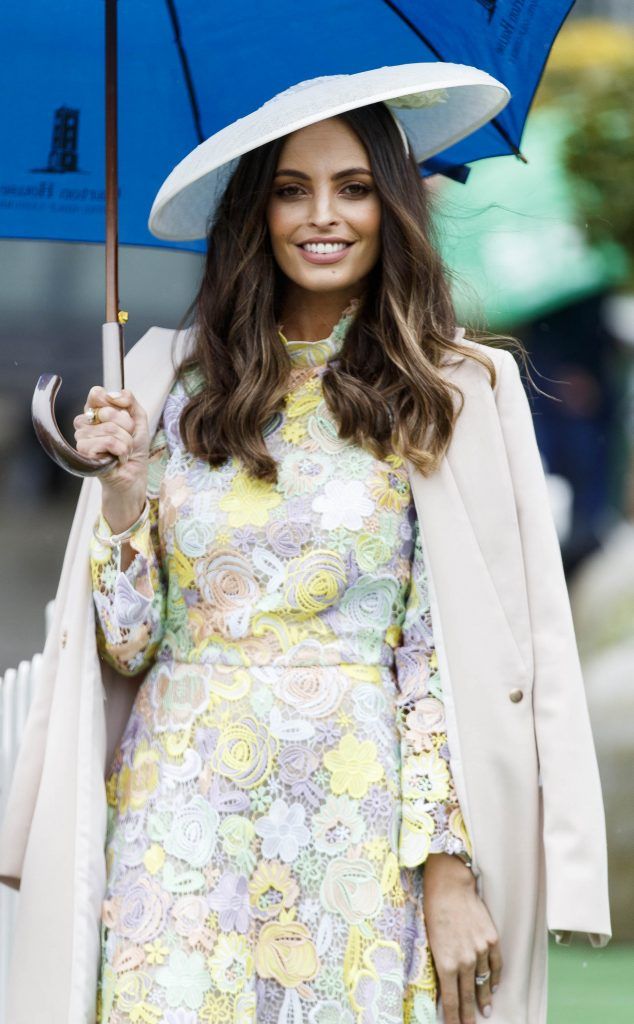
(131, 605)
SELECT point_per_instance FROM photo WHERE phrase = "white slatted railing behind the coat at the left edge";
(17, 690)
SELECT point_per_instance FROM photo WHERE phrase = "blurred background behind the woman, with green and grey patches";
(550, 262)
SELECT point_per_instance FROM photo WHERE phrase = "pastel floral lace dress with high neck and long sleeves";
(284, 773)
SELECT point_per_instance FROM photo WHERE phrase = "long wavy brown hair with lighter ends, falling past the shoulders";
(384, 389)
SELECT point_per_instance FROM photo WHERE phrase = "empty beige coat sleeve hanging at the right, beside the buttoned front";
(575, 842)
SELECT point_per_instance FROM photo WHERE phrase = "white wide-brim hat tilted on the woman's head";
(437, 104)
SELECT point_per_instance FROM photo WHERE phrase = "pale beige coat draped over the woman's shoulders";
(514, 694)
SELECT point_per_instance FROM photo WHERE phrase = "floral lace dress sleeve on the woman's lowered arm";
(433, 821)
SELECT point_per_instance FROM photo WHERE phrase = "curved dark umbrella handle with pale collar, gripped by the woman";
(44, 410)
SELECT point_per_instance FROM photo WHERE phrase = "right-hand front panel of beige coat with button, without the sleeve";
(468, 522)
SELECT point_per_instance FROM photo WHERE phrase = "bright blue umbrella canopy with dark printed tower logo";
(188, 69)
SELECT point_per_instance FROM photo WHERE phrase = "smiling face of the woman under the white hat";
(324, 215)
